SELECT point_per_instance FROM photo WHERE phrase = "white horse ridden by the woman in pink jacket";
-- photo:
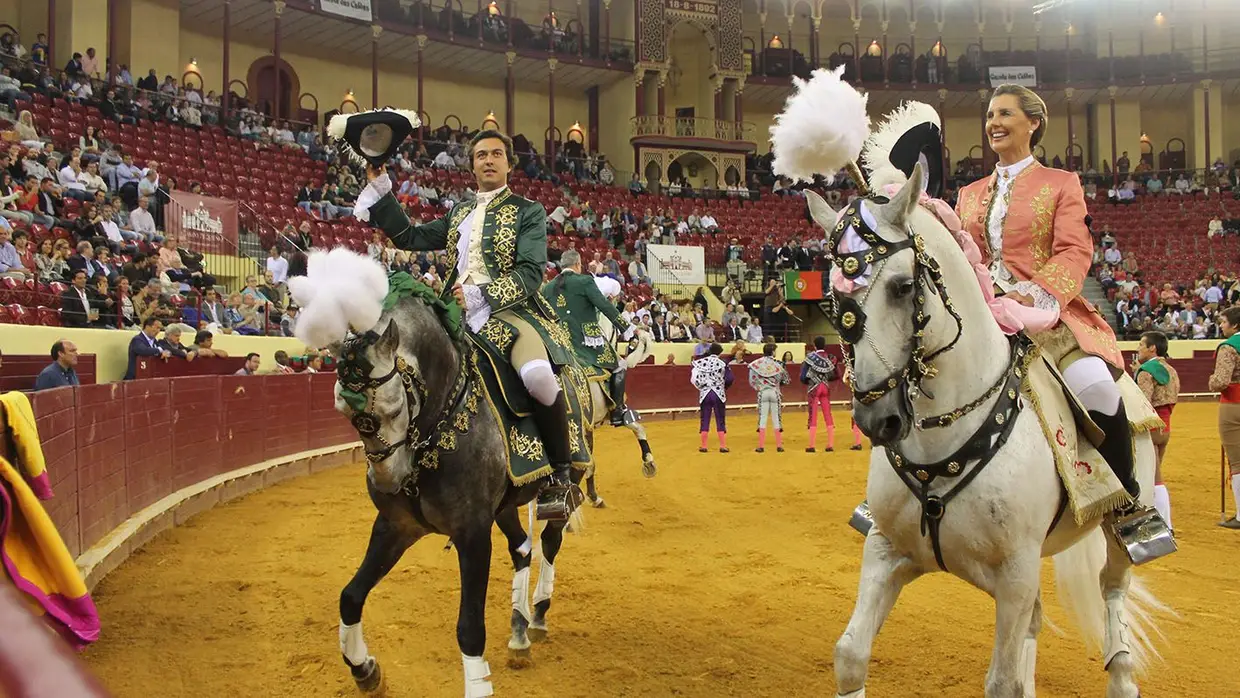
(1009, 518)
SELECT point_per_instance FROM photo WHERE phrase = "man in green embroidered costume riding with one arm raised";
(497, 249)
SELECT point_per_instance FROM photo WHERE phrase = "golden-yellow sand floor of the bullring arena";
(726, 576)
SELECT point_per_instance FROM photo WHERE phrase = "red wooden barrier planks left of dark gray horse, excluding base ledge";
(113, 449)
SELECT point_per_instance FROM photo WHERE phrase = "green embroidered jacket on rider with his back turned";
(580, 302)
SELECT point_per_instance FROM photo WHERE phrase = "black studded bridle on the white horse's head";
(850, 319)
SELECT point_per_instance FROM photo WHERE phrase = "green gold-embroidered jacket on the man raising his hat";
(515, 252)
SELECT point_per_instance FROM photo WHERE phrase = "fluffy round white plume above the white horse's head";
(821, 130)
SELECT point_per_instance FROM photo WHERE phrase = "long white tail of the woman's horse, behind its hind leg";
(1081, 594)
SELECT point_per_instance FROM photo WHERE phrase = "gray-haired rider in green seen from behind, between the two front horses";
(580, 303)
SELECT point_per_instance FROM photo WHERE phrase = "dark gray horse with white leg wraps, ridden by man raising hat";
(420, 385)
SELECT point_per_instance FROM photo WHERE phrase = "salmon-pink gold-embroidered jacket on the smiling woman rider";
(1046, 241)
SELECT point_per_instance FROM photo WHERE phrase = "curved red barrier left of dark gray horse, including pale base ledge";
(128, 461)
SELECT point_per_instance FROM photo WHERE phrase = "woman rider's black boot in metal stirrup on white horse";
(1138, 529)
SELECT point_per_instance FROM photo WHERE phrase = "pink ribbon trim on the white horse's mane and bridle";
(1011, 316)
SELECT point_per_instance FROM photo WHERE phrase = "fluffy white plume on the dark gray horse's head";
(342, 289)
